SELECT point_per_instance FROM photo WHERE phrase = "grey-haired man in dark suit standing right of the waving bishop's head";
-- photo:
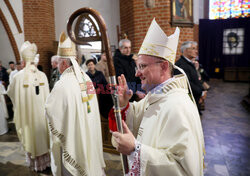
(189, 51)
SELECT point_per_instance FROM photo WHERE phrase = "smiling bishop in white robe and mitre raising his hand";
(166, 124)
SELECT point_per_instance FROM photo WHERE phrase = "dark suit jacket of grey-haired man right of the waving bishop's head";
(192, 75)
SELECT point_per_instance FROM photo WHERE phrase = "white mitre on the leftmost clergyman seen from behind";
(28, 51)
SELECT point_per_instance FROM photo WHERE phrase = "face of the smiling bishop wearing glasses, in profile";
(149, 71)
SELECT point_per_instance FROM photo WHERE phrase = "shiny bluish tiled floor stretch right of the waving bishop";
(226, 126)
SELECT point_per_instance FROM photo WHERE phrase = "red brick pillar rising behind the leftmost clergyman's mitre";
(39, 27)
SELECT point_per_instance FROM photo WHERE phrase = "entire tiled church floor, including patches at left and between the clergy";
(226, 126)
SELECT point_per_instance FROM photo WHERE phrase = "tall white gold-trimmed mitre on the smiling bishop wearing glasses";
(157, 43)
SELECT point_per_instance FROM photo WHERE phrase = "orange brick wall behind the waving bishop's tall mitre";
(136, 18)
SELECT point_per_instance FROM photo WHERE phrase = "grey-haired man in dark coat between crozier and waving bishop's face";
(125, 64)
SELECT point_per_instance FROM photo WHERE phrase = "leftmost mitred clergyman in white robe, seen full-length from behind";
(28, 92)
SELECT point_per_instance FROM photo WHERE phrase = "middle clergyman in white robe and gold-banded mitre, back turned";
(74, 121)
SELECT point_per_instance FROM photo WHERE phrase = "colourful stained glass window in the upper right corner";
(223, 9)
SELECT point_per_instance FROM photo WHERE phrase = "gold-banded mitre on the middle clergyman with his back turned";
(66, 48)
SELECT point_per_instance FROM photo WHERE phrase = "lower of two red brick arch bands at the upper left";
(10, 35)
